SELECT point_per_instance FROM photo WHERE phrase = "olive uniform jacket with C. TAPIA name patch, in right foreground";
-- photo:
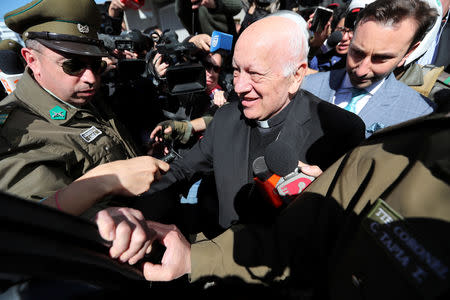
(351, 253)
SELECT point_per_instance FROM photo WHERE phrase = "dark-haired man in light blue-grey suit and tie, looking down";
(386, 33)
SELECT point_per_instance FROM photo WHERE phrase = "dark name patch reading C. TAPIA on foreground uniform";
(426, 271)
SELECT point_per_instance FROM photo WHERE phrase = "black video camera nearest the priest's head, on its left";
(184, 74)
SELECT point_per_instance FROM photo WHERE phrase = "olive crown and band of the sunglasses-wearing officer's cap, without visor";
(57, 16)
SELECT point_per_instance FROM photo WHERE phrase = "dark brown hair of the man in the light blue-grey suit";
(395, 11)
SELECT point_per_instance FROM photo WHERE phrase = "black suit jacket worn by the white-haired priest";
(320, 133)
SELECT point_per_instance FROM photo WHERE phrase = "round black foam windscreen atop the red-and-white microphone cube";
(280, 158)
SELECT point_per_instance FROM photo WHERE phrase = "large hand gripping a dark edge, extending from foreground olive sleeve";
(132, 238)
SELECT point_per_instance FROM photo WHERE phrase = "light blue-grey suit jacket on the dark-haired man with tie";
(393, 103)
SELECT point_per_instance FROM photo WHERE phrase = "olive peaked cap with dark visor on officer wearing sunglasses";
(64, 25)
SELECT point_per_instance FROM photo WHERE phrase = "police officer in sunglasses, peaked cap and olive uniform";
(55, 127)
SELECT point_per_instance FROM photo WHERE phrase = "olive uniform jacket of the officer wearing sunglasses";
(39, 155)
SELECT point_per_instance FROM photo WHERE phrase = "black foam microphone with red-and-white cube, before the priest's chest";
(282, 160)
